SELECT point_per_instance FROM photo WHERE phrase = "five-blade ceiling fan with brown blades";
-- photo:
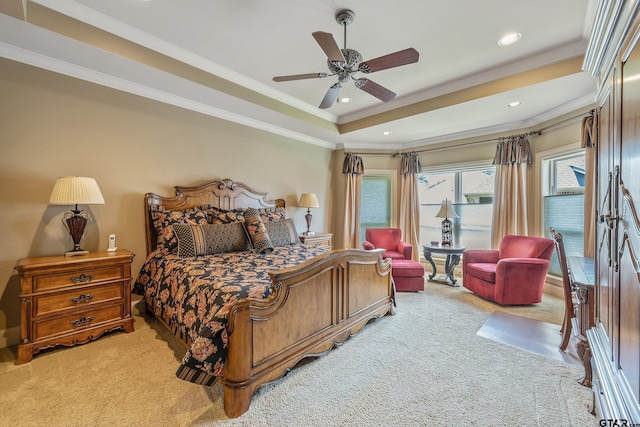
(344, 63)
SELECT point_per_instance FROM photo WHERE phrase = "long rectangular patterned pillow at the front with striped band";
(209, 239)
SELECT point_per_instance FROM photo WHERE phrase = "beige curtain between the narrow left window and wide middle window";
(409, 201)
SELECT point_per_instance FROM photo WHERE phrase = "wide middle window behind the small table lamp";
(470, 189)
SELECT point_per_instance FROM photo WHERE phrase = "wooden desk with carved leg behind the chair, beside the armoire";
(582, 272)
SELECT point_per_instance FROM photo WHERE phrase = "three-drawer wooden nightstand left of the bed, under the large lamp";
(68, 301)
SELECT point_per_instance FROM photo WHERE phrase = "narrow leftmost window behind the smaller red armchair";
(376, 200)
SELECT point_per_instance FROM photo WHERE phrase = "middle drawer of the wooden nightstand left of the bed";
(75, 298)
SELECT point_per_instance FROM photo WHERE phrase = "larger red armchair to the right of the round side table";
(512, 275)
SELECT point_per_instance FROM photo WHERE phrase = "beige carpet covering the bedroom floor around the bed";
(424, 366)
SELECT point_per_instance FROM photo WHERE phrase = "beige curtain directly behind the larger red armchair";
(513, 156)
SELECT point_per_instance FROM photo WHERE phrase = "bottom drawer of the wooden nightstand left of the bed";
(76, 321)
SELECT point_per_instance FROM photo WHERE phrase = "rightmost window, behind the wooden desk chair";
(563, 199)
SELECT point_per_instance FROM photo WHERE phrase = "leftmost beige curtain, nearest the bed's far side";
(352, 168)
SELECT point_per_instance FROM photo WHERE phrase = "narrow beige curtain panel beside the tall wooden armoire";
(589, 143)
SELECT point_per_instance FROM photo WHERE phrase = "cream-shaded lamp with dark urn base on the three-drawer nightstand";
(76, 190)
